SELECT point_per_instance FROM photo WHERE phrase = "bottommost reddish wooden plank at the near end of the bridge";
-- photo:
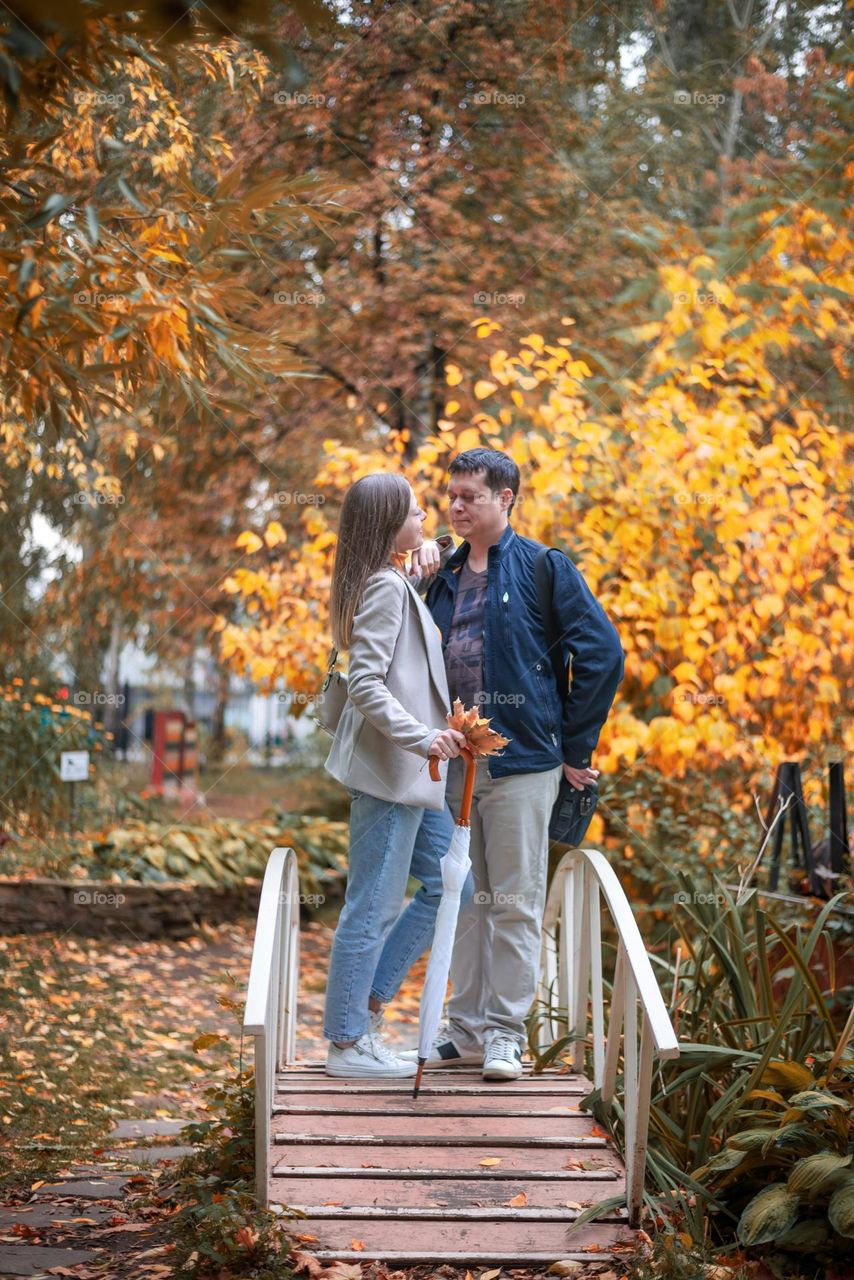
(479, 1240)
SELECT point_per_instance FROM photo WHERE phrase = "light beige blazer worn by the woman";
(398, 697)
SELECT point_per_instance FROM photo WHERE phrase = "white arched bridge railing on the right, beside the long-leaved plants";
(572, 961)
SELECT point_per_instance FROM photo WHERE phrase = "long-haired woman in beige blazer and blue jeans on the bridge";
(394, 721)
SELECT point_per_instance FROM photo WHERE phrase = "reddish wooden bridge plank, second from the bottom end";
(373, 1192)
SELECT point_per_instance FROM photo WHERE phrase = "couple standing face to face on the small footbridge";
(463, 623)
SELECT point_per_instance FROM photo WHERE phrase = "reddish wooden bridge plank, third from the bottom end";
(455, 1160)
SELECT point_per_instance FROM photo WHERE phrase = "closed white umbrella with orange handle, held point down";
(455, 868)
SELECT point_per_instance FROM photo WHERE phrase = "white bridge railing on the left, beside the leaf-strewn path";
(271, 1013)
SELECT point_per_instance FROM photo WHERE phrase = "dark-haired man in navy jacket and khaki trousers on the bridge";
(485, 602)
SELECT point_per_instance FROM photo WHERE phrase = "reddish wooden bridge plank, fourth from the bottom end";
(479, 1128)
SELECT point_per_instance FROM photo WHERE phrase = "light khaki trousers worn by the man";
(495, 967)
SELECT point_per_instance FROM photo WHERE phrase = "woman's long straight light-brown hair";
(372, 515)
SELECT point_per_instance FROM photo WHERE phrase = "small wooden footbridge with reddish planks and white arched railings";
(472, 1172)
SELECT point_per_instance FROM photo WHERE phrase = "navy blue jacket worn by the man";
(520, 692)
